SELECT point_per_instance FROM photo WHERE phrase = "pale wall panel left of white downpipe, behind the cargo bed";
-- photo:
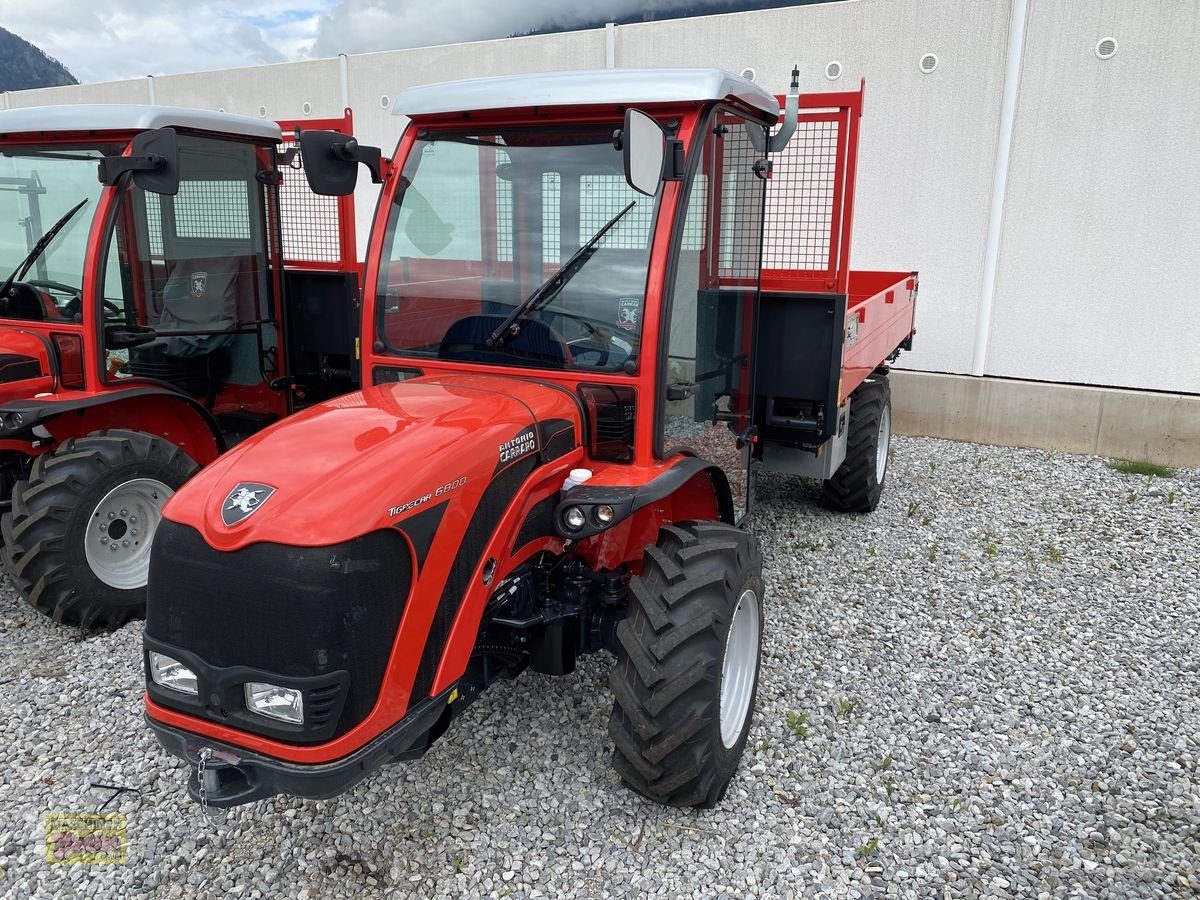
(928, 142)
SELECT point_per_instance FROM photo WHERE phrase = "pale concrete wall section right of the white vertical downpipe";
(1100, 267)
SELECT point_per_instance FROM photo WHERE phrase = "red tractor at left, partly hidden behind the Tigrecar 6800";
(170, 286)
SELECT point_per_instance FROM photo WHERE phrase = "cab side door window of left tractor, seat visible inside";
(193, 268)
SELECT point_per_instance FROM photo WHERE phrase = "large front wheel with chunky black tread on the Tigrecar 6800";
(688, 662)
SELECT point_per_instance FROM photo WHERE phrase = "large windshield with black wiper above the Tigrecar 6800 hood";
(483, 221)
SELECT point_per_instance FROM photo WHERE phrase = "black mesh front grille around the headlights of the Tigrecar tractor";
(305, 614)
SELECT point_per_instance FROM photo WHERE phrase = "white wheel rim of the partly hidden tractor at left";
(121, 530)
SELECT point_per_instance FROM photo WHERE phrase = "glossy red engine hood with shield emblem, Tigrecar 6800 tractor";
(371, 459)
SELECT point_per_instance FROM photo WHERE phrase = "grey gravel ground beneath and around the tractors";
(987, 688)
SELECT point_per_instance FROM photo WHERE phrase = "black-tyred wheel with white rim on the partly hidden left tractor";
(77, 541)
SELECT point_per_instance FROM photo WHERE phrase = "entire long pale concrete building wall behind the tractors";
(1101, 230)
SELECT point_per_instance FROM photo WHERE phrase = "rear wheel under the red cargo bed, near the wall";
(859, 483)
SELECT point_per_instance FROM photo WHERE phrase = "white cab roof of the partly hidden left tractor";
(129, 117)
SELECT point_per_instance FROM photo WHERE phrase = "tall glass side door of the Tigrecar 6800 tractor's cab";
(713, 303)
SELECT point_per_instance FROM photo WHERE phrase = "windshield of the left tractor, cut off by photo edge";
(39, 187)
